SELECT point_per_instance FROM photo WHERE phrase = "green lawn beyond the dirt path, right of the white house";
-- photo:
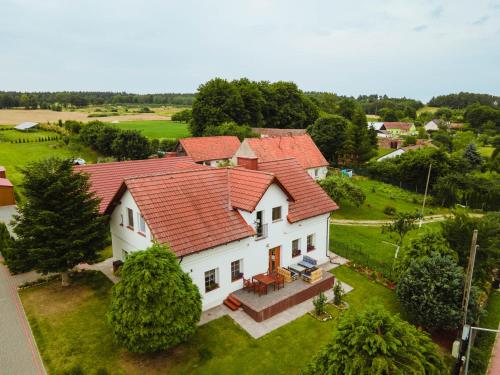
(380, 195)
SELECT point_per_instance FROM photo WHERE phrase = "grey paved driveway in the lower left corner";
(18, 352)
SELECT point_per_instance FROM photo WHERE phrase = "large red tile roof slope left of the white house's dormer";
(194, 210)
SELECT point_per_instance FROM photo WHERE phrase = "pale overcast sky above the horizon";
(416, 49)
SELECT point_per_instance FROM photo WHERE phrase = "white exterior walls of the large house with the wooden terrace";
(253, 253)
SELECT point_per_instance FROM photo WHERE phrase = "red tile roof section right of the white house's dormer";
(309, 198)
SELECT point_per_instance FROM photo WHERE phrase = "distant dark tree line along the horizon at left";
(45, 100)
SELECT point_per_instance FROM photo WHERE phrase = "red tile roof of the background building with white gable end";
(300, 147)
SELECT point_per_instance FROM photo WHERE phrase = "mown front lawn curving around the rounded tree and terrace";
(70, 328)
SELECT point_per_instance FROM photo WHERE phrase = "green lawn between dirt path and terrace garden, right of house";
(368, 246)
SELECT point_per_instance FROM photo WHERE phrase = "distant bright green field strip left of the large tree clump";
(158, 129)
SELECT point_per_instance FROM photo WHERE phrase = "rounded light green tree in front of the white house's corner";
(155, 306)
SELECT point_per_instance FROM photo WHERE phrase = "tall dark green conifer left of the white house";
(59, 225)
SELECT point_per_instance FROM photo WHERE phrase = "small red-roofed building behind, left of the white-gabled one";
(209, 150)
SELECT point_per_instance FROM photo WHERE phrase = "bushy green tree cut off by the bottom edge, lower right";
(375, 342)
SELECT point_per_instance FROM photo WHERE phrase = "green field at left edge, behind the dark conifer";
(15, 156)
